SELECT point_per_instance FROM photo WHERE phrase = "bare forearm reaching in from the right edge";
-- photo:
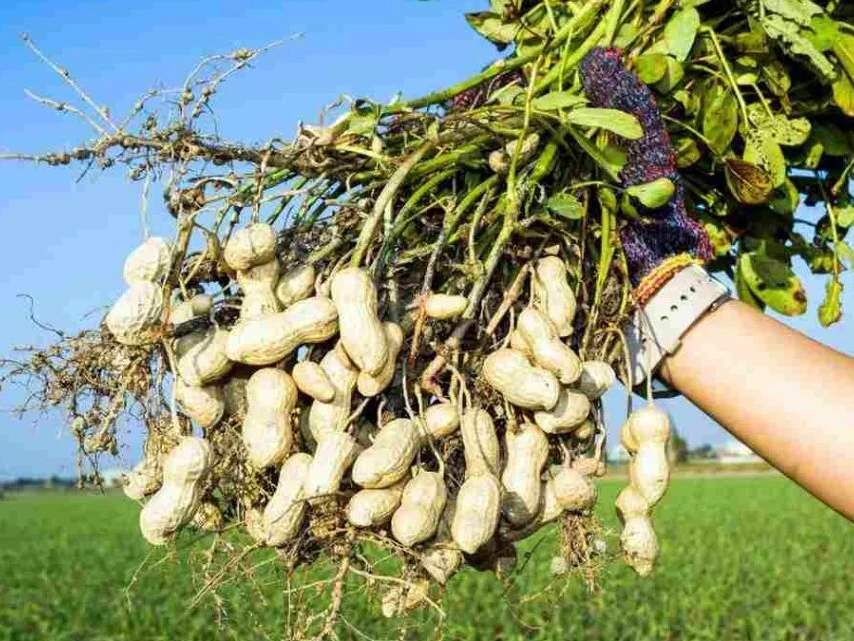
(788, 397)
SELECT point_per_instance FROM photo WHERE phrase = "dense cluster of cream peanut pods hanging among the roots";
(311, 408)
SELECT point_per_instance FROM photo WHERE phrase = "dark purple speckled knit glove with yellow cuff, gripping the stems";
(666, 239)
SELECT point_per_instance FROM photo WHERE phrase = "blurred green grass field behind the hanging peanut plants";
(743, 559)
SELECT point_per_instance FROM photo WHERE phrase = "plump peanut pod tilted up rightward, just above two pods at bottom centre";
(389, 458)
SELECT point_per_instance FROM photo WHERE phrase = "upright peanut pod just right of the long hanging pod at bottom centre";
(527, 451)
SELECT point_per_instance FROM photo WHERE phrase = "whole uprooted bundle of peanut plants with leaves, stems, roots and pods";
(394, 331)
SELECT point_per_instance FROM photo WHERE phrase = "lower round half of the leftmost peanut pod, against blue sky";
(135, 317)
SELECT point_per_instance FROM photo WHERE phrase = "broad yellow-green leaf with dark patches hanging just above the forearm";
(774, 283)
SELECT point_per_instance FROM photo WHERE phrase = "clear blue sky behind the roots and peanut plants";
(64, 241)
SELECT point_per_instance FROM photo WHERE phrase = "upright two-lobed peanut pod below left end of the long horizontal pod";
(267, 431)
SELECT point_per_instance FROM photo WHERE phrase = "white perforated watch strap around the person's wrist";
(656, 330)
